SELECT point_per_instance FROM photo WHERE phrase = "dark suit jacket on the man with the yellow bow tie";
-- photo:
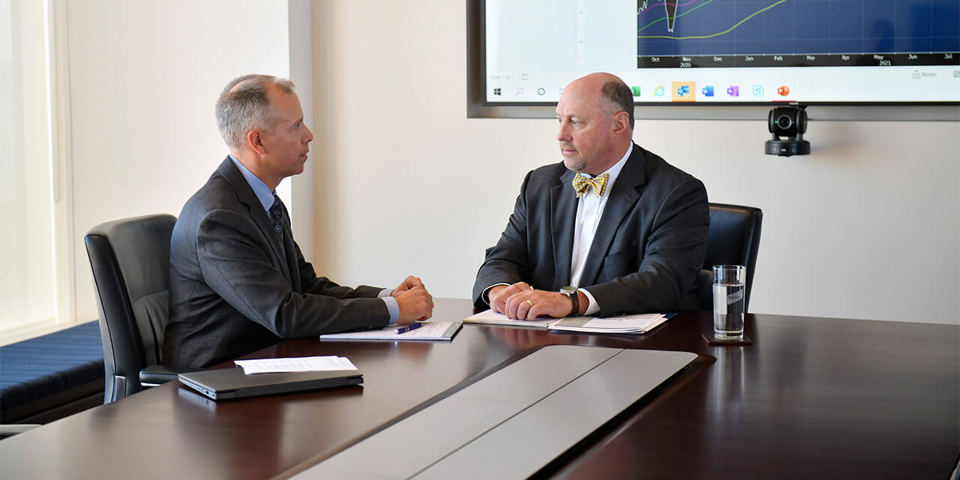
(645, 255)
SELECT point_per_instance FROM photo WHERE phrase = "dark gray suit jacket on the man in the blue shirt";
(233, 287)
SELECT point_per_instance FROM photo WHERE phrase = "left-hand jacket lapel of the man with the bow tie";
(563, 206)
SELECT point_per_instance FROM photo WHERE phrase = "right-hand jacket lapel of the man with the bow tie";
(625, 193)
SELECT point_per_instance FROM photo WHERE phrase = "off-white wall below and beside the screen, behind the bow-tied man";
(865, 227)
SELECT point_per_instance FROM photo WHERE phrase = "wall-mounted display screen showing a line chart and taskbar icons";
(725, 51)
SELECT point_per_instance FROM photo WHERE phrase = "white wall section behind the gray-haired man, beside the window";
(144, 77)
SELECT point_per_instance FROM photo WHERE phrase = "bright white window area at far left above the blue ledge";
(25, 201)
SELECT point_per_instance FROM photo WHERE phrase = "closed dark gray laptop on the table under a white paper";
(227, 383)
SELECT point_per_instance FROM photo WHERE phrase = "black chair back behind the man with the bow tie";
(734, 239)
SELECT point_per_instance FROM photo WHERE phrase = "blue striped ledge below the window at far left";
(50, 364)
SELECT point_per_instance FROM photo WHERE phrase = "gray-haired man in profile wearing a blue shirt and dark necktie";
(238, 280)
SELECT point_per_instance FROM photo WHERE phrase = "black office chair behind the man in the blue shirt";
(130, 259)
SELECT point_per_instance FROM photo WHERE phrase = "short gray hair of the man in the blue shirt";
(244, 105)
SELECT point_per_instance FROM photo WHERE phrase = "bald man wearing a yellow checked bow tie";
(613, 229)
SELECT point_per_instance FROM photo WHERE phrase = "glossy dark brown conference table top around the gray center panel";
(809, 398)
